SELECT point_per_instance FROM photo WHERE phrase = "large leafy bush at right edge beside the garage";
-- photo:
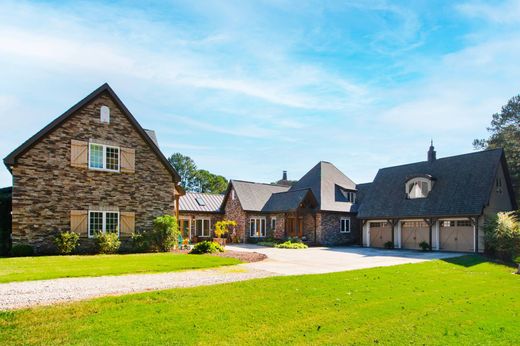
(502, 236)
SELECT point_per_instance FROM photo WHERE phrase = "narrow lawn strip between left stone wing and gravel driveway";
(51, 267)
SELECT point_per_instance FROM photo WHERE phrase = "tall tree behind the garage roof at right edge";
(505, 133)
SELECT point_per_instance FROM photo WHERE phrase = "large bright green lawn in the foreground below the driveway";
(463, 301)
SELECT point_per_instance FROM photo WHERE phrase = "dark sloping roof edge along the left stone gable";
(11, 158)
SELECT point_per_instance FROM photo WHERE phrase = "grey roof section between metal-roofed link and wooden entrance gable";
(254, 196)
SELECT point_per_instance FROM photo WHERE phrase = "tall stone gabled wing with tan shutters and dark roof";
(93, 169)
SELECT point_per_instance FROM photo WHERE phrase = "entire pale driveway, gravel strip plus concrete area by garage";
(279, 262)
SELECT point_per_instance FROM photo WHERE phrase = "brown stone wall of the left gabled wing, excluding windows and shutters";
(46, 187)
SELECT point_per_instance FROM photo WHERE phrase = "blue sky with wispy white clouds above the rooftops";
(248, 89)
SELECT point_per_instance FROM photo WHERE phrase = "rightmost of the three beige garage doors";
(456, 236)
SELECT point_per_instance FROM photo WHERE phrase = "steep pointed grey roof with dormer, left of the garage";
(326, 181)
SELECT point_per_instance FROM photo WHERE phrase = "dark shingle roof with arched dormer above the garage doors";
(462, 187)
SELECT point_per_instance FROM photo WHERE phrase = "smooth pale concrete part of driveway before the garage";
(317, 260)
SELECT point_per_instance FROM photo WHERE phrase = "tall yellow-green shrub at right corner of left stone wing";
(164, 234)
